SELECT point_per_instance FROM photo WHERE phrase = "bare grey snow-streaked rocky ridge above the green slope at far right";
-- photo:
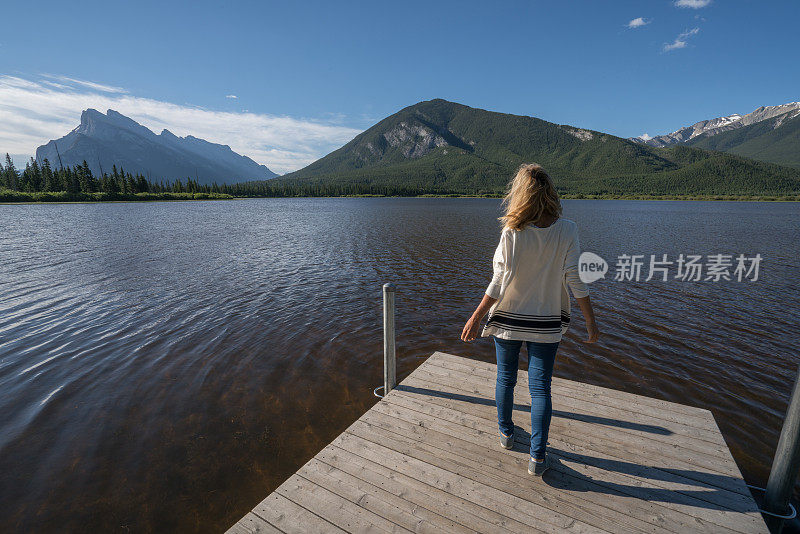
(712, 127)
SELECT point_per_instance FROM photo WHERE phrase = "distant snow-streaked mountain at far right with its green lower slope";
(768, 134)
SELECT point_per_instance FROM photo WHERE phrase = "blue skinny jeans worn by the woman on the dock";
(541, 357)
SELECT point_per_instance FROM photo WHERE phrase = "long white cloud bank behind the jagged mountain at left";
(32, 112)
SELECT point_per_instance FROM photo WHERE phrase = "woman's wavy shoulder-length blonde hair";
(531, 197)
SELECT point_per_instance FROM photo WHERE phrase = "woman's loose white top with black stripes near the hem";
(532, 269)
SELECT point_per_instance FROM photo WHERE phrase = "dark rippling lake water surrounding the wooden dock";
(164, 366)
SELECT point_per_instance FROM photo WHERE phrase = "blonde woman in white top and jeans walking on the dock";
(527, 300)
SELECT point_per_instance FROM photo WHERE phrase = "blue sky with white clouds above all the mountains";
(307, 76)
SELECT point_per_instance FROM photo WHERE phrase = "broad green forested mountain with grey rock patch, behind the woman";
(441, 146)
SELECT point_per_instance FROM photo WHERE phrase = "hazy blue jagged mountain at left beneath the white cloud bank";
(114, 139)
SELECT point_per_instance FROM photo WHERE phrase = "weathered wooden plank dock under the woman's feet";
(427, 458)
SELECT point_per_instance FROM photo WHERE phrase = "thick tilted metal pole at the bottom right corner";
(786, 463)
